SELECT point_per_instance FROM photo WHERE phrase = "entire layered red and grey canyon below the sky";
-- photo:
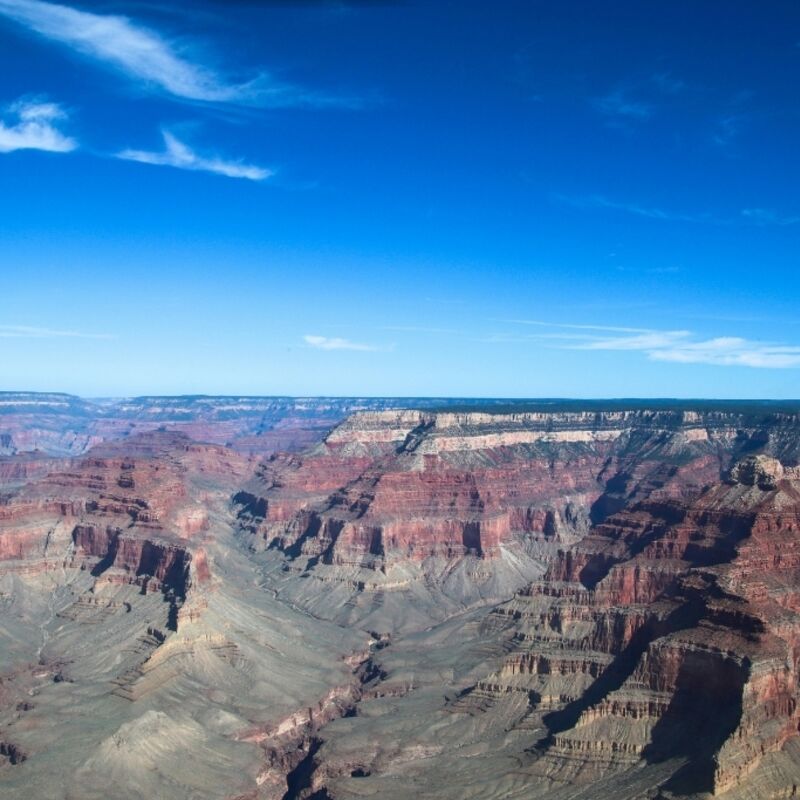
(555, 600)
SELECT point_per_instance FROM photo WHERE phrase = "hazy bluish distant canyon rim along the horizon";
(65, 425)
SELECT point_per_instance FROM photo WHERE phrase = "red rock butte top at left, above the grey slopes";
(129, 507)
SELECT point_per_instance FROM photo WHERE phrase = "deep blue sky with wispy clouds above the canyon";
(515, 199)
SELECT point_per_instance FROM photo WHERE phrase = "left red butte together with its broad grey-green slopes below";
(139, 654)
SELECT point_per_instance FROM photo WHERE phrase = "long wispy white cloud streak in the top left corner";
(149, 58)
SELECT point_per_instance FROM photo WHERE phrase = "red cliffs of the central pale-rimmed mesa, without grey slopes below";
(407, 485)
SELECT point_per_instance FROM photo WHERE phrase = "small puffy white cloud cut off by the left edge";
(32, 124)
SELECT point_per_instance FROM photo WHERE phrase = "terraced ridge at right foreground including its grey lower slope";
(657, 657)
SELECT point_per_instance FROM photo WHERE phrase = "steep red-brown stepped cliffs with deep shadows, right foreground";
(671, 632)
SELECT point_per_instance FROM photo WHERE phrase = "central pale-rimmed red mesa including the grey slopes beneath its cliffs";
(393, 500)
